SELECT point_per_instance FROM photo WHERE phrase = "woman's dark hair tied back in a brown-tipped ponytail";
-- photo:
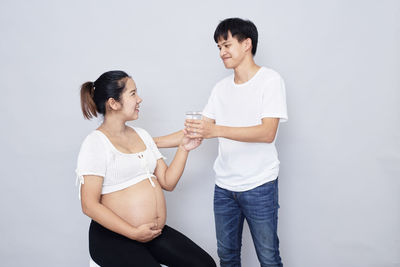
(94, 95)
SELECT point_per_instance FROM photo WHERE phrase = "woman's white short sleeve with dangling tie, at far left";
(91, 159)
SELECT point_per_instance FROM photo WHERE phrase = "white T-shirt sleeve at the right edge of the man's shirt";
(274, 99)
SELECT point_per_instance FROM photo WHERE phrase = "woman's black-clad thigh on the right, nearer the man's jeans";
(174, 249)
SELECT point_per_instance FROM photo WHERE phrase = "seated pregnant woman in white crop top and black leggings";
(121, 178)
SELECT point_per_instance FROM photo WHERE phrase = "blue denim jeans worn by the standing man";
(259, 206)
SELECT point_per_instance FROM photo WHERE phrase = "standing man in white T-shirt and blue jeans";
(243, 111)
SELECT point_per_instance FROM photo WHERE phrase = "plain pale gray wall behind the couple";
(340, 150)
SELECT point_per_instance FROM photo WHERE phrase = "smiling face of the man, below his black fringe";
(232, 52)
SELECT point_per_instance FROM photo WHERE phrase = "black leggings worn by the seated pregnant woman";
(109, 249)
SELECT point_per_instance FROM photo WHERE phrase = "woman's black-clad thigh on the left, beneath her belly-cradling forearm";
(109, 249)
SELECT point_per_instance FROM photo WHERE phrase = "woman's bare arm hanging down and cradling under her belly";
(92, 207)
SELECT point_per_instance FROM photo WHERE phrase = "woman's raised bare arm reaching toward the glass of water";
(168, 176)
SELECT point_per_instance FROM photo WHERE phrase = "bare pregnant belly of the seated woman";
(138, 204)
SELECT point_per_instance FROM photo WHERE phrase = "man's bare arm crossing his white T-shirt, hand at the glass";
(206, 128)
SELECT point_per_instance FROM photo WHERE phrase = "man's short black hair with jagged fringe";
(240, 29)
